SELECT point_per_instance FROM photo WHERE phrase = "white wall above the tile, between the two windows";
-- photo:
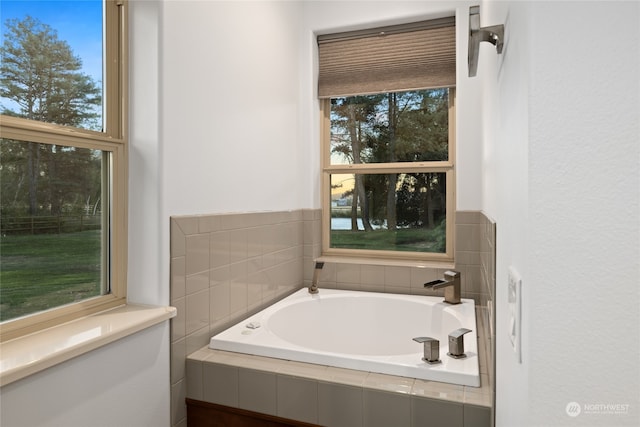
(230, 117)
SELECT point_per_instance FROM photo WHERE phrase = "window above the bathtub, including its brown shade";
(388, 108)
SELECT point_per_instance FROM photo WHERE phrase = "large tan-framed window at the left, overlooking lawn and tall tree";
(63, 162)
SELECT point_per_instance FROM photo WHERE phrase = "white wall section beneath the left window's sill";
(124, 384)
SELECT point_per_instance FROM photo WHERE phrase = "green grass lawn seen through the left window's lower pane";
(42, 271)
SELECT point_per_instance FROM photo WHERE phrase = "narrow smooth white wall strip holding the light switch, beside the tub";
(505, 142)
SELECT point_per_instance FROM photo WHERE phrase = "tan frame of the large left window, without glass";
(113, 140)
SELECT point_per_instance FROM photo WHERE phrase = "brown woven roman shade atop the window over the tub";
(420, 55)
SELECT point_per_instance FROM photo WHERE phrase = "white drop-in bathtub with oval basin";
(365, 331)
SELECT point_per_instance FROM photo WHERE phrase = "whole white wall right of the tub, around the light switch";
(561, 177)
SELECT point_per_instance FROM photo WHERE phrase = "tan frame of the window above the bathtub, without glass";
(447, 167)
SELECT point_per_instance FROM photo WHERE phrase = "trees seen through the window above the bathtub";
(395, 127)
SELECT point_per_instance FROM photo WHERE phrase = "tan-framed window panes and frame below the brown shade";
(388, 177)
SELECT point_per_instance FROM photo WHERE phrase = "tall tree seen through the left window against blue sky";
(40, 74)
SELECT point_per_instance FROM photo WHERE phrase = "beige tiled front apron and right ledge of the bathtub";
(331, 396)
